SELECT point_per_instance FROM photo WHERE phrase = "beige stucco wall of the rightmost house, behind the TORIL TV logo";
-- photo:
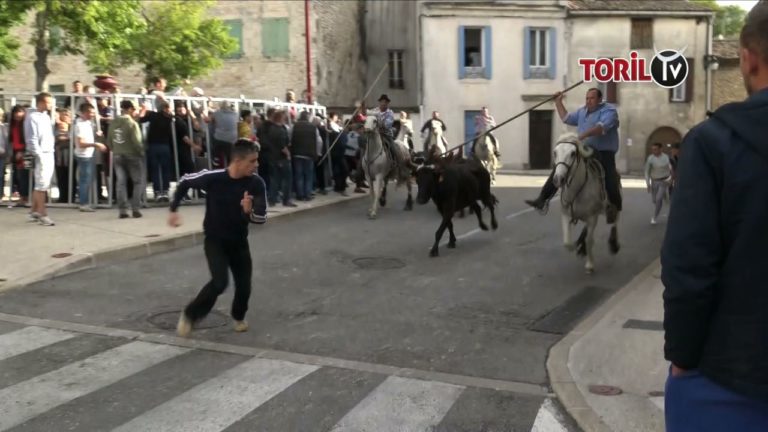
(643, 107)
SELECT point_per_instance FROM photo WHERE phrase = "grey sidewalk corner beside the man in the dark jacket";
(619, 345)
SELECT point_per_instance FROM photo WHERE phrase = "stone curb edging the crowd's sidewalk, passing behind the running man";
(140, 249)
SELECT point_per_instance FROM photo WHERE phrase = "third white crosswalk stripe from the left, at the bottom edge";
(221, 401)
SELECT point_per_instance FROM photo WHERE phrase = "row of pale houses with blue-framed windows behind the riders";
(511, 55)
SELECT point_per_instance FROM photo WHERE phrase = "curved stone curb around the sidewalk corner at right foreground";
(560, 377)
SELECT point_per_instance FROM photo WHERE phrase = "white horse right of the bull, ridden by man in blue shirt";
(583, 197)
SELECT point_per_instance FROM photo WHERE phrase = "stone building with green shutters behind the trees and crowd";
(271, 57)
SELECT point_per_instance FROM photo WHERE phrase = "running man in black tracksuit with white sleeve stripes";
(236, 196)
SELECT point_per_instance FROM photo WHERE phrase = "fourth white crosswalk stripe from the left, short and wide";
(401, 404)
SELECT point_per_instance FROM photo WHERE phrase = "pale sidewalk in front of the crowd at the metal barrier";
(83, 240)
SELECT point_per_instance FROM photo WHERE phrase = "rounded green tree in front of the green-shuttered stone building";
(180, 42)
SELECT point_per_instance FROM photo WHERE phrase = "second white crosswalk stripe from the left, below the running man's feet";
(27, 399)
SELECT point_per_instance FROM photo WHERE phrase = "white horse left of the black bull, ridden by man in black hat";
(378, 166)
